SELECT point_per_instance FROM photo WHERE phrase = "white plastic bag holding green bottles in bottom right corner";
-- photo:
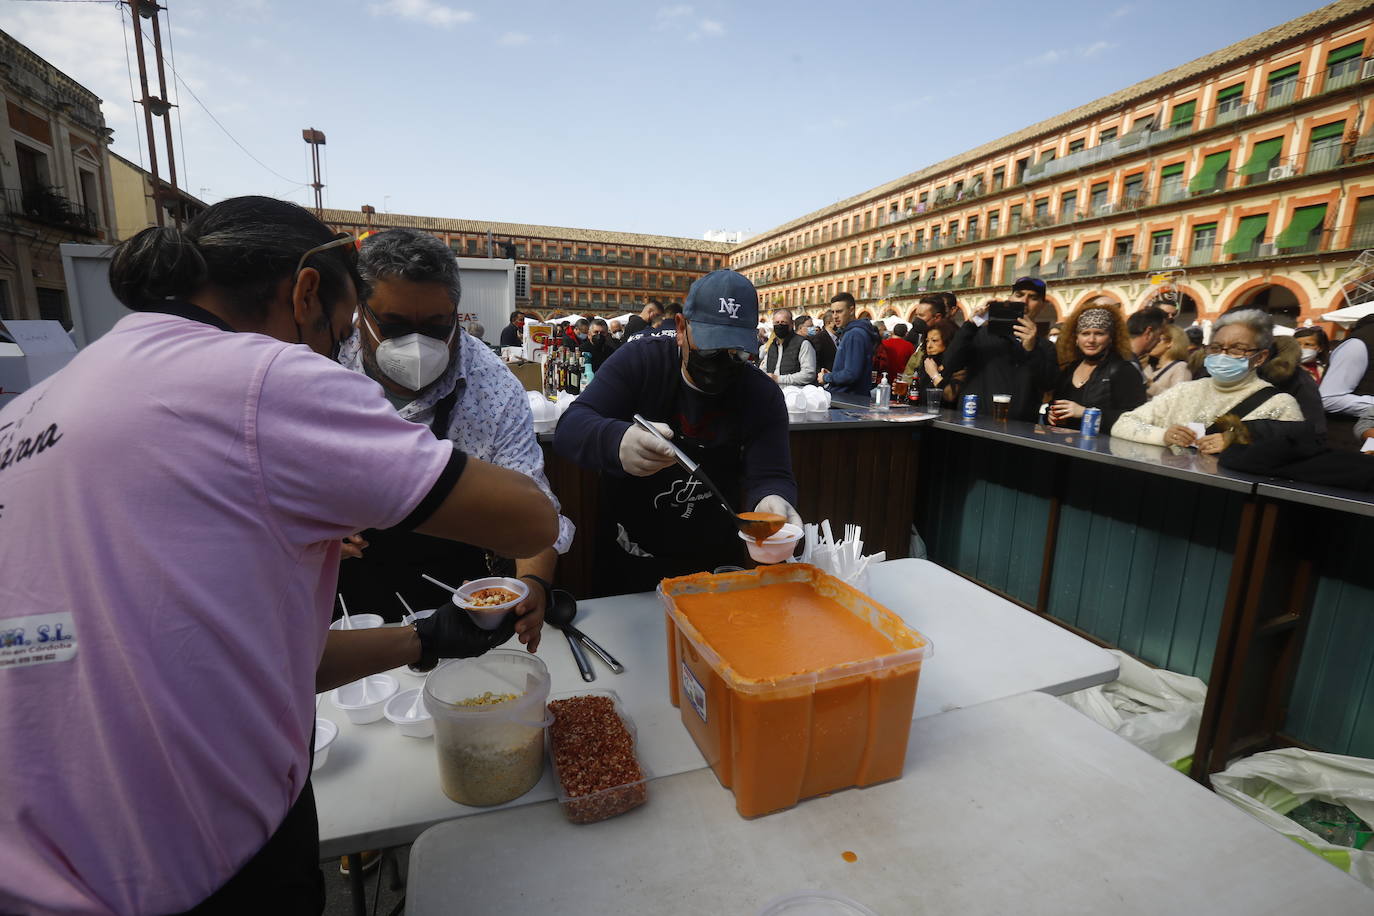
(1273, 783)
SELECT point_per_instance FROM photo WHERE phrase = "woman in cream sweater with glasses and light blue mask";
(1240, 347)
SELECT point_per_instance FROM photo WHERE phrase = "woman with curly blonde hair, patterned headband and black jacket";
(1096, 369)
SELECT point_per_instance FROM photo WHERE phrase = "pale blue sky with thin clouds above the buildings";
(642, 117)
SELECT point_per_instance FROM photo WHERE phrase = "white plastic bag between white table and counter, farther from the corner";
(1156, 711)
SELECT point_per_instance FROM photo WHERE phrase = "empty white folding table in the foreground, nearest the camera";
(1019, 805)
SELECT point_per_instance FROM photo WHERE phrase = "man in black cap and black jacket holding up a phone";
(1022, 365)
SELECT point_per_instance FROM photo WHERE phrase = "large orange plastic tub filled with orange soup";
(780, 737)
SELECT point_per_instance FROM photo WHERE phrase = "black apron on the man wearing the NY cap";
(671, 517)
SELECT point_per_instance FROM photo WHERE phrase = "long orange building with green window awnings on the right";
(1247, 176)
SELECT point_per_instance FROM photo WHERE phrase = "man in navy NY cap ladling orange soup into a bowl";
(695, 381)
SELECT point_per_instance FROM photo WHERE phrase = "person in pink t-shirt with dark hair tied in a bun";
(171, 513)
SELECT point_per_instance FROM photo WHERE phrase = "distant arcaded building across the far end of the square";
(583, 271)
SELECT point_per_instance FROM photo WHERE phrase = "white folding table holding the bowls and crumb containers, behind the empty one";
(380, 789)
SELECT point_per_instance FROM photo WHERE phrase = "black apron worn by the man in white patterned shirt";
(394, 561)
